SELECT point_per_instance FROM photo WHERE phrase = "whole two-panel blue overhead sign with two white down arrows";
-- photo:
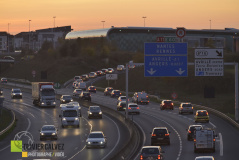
(165, 60)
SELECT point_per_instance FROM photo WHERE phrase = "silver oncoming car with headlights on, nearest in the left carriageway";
(96, 139)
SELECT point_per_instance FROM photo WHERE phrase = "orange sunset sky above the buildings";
(88, 14)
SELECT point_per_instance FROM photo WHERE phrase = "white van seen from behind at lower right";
(204, 140)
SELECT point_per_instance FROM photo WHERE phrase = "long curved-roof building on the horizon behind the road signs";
(133, 38)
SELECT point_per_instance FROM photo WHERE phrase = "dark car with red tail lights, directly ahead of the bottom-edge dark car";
(160, 135)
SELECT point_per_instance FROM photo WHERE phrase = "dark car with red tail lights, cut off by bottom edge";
(151, 152)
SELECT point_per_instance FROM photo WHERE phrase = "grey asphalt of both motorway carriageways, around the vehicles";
(151, 116)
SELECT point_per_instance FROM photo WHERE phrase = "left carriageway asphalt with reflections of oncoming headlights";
(74, 139)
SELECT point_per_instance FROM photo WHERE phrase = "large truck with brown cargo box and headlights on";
(43, 94)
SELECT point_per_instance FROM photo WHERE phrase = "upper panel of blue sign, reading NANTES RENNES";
(165, 49)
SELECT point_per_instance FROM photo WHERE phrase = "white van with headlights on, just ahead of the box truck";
(70, 115)
